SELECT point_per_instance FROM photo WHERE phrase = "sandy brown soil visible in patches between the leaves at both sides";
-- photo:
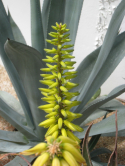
(107, 142)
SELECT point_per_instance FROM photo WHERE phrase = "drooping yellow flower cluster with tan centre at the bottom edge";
(62, 151)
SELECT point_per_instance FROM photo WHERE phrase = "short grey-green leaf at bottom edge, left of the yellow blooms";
(18, 161)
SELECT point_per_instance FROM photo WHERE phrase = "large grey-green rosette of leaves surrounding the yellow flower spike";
(23, 65)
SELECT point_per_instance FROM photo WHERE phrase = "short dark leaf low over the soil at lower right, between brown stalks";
(99, 151)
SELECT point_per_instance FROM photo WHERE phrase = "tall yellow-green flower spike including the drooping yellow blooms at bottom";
(62, 147)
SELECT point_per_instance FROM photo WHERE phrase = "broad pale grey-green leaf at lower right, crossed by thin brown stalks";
(108, 125)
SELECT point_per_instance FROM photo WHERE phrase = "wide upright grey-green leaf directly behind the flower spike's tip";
(58, 11)
